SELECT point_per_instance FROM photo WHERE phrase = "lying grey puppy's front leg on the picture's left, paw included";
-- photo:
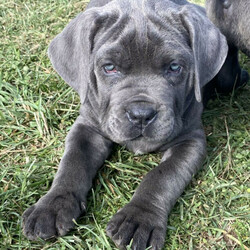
(53, 214)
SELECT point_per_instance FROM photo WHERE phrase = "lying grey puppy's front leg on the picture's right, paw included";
(144, 219)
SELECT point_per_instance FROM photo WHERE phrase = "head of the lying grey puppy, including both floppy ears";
(136, 63)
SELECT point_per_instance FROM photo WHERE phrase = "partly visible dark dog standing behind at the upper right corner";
(232, 17)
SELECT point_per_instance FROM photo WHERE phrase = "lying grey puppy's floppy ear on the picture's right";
(208, 44)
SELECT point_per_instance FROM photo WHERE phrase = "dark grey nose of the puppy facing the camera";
(141, 115)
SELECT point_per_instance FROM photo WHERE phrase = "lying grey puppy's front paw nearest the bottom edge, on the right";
(147, 227)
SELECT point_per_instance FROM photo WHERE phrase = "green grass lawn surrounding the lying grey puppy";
(36, 111)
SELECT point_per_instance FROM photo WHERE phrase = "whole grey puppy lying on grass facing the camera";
(139, 67)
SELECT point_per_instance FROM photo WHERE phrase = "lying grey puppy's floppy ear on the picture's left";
(70, 51)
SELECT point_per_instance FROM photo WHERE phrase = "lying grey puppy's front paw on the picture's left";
(51, 216)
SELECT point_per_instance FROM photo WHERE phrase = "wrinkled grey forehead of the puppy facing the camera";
(143, 34)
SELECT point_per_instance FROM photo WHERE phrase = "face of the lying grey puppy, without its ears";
(143, 80)
